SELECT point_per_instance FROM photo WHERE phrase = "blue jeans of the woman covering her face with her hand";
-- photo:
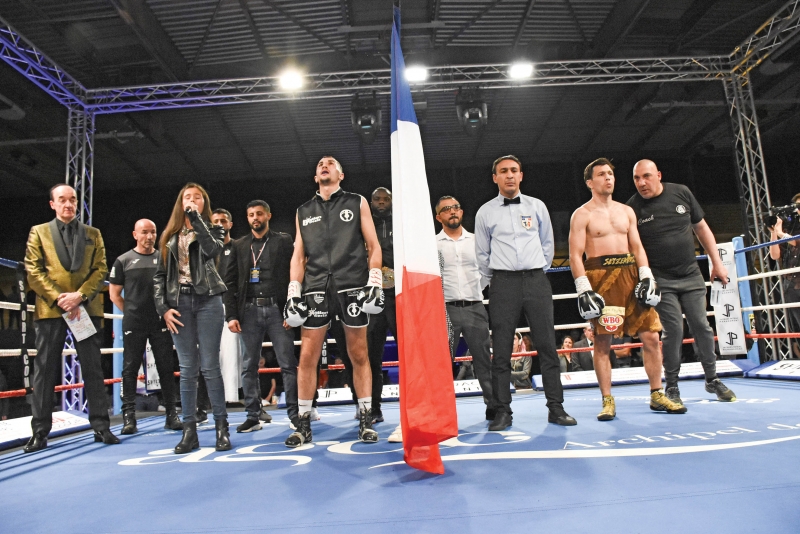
(197, 344)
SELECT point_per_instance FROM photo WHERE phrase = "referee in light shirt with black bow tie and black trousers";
(514, 245)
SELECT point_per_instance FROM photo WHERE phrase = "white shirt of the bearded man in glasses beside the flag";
(460, 277)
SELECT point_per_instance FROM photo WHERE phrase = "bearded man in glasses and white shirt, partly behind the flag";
(462, 293)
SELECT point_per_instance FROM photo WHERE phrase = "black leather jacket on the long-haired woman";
(202, 256)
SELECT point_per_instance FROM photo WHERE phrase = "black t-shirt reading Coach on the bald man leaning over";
(665, 226)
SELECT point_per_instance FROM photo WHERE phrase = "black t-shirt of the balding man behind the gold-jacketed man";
(134, 272)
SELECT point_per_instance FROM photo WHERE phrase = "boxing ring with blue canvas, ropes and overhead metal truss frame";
(720, 467)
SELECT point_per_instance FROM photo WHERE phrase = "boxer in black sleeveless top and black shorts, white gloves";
(337, 259)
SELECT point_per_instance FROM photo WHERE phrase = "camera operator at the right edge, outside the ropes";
(789, 256)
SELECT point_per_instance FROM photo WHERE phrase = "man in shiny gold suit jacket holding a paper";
(66, 265)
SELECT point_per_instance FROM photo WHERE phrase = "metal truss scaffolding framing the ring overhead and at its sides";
(732, 70)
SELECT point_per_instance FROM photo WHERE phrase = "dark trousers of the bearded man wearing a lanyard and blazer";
(257, 321)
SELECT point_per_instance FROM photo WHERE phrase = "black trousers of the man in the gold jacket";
(50, 337)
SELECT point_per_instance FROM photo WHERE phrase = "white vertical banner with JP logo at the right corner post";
(727, 310)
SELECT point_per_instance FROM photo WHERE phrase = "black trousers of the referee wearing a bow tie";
(510, 293)
